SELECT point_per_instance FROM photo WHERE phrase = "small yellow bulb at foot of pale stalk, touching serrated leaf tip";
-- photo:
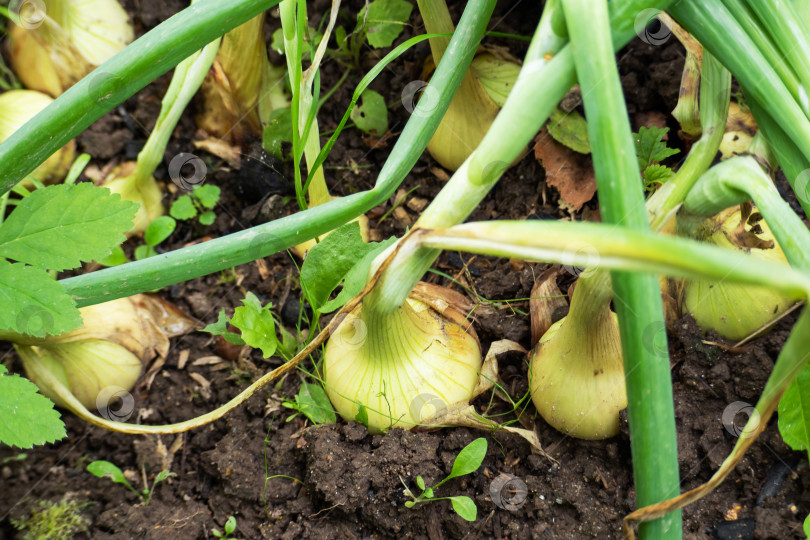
(144, 191)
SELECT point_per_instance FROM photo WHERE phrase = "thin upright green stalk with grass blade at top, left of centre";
(304, 110)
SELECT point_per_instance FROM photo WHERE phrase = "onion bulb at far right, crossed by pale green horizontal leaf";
(736, 311)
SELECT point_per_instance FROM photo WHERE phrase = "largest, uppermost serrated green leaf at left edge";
(61, 226)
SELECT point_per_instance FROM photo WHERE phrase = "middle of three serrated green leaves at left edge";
(33, 303)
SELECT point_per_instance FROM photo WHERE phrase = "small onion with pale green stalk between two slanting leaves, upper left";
(134, 181)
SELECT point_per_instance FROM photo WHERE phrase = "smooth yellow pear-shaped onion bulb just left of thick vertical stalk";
(575, 372)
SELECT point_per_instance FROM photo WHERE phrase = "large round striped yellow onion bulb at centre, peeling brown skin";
(401, 369)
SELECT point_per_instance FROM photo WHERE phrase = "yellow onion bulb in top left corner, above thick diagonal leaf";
(74, 38)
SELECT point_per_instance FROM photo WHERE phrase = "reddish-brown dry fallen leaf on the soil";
(571, 173)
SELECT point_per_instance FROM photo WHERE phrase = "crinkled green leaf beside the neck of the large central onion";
(341, 257)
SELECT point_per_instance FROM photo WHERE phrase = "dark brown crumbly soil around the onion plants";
(290, 479)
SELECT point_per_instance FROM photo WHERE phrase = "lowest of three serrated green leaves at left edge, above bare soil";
(27, 417)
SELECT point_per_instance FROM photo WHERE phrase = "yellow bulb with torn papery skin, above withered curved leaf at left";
(89, 369)
